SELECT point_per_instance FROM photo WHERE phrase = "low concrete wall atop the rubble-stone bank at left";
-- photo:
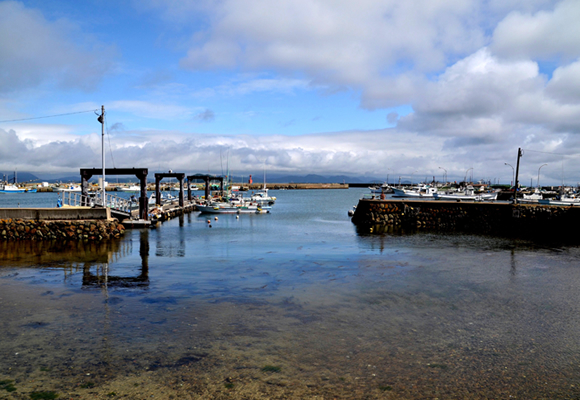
(51, 214)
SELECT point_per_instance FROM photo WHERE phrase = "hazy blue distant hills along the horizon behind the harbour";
(23, 177)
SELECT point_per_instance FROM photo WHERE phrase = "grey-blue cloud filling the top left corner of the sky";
(36, 51)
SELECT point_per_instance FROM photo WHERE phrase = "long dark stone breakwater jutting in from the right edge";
(477, 217)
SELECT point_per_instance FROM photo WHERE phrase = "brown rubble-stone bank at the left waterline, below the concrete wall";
(89, 230)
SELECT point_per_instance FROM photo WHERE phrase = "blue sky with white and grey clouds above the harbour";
(389, 89)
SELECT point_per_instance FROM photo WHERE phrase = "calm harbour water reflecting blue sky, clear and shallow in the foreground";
(292, 304)
